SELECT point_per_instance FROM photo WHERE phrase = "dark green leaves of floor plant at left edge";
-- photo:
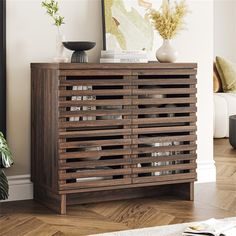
(5, 162)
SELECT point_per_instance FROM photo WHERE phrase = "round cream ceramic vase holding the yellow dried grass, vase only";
(166, 53)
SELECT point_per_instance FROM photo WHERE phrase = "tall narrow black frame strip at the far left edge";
(3, 66)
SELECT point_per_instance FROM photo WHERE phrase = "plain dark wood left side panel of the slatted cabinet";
(44, 130)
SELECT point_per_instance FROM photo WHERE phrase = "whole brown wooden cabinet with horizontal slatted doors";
(112, 131)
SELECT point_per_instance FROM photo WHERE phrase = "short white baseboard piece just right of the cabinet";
(206, 171)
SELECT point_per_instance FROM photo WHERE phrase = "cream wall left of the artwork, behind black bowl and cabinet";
(31, 37)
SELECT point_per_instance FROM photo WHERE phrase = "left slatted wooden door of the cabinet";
(94, 131)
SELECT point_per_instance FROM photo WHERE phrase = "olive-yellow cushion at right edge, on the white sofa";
(227, 71)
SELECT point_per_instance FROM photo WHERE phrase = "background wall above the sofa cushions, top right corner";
(225, 29)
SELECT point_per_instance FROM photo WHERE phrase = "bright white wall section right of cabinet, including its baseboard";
(196, 44)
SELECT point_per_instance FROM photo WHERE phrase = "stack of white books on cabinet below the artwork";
(126, 56)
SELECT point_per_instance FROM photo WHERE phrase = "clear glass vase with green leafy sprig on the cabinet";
(52, 9)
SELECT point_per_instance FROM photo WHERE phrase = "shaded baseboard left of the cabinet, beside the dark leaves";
(20, 188)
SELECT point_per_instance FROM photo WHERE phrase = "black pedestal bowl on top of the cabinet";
(79, 47)
